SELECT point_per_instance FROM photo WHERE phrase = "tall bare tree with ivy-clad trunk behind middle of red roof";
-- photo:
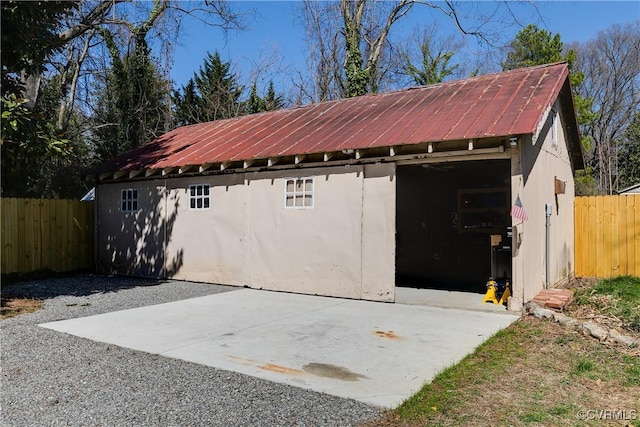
(350, 44)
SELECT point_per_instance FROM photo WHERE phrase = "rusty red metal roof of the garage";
(503, 104)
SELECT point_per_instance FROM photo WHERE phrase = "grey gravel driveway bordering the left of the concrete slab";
(50, 378)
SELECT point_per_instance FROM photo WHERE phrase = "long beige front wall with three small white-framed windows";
(344, 246)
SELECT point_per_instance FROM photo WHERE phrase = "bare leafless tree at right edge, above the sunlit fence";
(610, 64)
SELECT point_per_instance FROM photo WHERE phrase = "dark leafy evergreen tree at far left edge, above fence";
(29, 39)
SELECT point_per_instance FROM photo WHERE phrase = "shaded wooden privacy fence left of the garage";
(42, 234)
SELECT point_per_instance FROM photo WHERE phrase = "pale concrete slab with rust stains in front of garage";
(373, 352)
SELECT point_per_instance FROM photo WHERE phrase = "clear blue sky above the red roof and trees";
(276, 31)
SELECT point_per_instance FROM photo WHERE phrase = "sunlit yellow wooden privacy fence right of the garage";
(607, 236)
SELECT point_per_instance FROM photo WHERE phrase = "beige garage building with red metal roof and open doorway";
(440, 186)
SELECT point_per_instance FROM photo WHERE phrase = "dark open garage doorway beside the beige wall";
(452, 224)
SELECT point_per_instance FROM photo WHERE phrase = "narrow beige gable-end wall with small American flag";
(535, 163)
